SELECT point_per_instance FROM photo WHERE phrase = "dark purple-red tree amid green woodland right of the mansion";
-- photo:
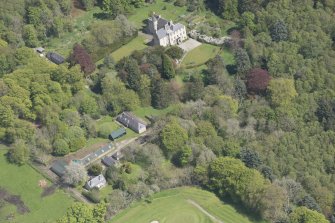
(257, 81)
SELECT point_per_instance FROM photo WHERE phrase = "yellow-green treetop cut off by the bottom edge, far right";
(304, 215)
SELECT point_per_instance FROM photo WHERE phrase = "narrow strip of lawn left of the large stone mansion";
(126, 50)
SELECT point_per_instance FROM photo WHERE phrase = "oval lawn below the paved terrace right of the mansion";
(200, 55)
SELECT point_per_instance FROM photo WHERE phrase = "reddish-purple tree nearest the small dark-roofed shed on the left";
(81, 57)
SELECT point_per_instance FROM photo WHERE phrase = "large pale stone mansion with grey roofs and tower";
(166, 33)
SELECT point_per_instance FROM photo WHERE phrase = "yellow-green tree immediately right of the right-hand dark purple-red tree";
(282, 91)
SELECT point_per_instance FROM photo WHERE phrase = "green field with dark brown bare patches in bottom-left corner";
(23, 181)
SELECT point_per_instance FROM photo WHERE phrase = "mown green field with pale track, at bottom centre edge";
(174, 206)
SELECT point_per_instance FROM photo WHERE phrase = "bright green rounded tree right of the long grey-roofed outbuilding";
(173, 137)
